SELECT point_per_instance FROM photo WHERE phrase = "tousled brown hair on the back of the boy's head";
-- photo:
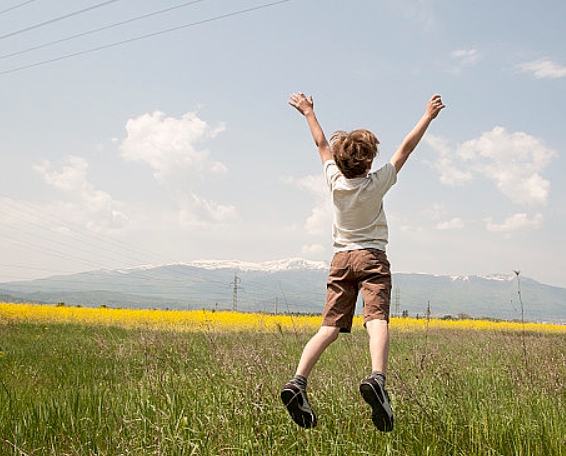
(354, 151)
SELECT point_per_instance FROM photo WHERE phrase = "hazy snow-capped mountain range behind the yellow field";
(292, 285)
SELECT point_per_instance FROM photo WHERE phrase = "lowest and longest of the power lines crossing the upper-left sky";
(149, 35)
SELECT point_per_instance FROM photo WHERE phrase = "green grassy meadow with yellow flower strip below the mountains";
(124, 382)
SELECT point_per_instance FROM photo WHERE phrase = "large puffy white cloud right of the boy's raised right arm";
(513, 161)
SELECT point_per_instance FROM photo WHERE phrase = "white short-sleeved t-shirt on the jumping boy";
(359, 219)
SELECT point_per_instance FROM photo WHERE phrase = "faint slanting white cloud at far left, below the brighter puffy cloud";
(102, 213)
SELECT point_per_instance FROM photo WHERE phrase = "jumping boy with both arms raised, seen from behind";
(359, 262)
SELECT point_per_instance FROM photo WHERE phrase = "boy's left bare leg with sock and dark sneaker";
(294, 394)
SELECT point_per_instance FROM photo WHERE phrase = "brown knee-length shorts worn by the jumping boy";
(366, 271)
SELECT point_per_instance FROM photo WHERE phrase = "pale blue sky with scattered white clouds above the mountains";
(151, 132)
